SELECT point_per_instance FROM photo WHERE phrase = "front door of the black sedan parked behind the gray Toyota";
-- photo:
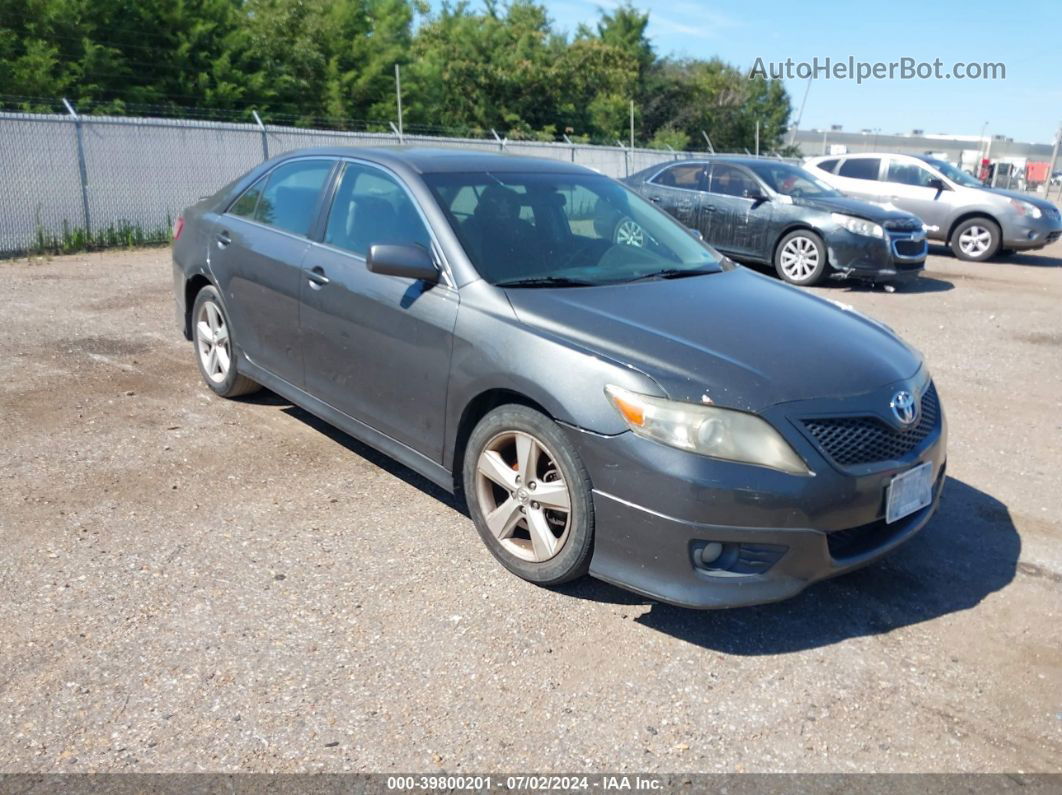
(739, 226)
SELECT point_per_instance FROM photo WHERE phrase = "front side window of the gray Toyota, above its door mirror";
(372, 208)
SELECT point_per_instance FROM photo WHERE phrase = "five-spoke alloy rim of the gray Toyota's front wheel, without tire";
(524, 497)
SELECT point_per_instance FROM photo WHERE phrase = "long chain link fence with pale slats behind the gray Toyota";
(70, 183)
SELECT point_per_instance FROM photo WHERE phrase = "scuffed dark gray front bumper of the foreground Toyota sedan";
(657, 507)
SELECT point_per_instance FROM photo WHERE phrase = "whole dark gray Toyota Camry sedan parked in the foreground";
(654, 416)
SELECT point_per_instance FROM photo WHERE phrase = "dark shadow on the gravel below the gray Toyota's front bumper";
(968, 551)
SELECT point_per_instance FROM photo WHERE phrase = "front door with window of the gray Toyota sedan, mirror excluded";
(376, 348)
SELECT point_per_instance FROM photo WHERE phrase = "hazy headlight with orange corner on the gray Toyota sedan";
(709, 430)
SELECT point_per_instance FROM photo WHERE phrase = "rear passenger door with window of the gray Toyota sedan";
(256, 257)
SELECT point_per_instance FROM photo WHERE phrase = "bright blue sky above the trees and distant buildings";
(1026, 107)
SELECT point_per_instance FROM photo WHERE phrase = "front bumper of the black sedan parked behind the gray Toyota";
(899, 257)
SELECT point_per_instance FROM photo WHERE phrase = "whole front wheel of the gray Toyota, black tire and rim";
(541, 545)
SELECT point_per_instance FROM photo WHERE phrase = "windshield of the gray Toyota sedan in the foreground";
(564, 230)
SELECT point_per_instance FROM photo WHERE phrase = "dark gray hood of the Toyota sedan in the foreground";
(735, 339)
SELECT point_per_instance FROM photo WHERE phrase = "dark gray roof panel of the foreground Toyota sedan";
(440, 160)
